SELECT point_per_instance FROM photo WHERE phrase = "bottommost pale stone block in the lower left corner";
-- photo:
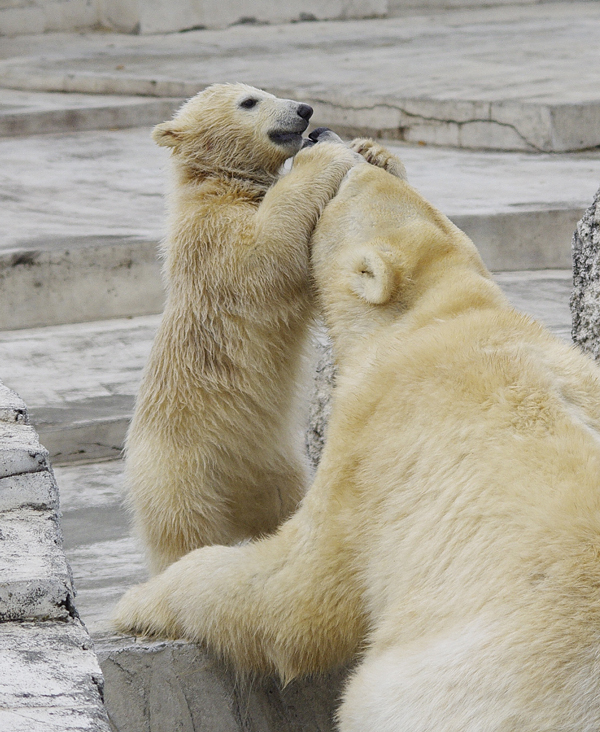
(50, 680)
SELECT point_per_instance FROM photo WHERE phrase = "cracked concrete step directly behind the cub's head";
(479, 78)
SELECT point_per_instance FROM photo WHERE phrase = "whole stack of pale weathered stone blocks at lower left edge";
(50, 679)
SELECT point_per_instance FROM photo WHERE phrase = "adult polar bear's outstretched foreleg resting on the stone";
(288, 604)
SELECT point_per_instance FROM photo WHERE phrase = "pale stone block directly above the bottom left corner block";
(35, 581)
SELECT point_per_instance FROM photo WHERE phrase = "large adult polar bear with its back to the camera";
(451, 537)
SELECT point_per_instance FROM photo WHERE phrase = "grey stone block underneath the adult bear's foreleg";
(153, 687)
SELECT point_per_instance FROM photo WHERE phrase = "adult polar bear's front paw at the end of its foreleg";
(145, 610)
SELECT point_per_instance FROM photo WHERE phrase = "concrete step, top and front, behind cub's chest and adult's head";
(83, 212)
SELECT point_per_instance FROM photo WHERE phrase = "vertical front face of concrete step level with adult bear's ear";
(116, 277)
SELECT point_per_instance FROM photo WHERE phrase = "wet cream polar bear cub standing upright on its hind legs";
(214, 453)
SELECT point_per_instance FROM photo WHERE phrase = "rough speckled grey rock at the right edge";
(585, 299)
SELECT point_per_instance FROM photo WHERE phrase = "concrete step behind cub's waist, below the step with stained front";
(80, 380)
